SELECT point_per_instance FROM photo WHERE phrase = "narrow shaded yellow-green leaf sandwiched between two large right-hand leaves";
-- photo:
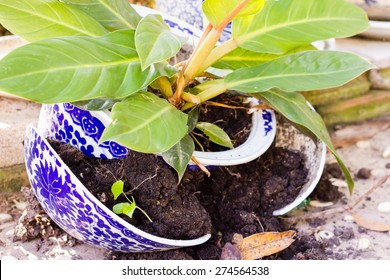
(241, 58)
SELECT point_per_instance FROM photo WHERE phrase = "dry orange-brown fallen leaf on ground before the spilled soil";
(264, 244)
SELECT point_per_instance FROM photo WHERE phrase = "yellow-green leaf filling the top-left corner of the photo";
(41, 19)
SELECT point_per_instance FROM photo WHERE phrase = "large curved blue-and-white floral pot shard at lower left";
(77, 211)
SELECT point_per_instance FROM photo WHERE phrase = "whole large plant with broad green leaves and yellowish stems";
(100, 54)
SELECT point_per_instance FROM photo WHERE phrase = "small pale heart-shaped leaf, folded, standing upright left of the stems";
(155, 42)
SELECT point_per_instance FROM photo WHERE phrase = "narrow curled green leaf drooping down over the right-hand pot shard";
(294, 107)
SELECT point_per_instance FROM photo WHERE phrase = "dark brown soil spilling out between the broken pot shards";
(237, 199)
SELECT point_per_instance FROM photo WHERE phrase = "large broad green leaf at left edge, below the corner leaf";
(70, 69)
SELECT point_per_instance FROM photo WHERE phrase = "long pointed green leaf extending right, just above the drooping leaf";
(309, 70)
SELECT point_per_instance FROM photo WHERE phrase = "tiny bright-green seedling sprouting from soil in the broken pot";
(126, 208)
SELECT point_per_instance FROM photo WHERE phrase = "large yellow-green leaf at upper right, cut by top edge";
(283, 25)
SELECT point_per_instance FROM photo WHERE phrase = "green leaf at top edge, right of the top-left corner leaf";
(112, 14)
